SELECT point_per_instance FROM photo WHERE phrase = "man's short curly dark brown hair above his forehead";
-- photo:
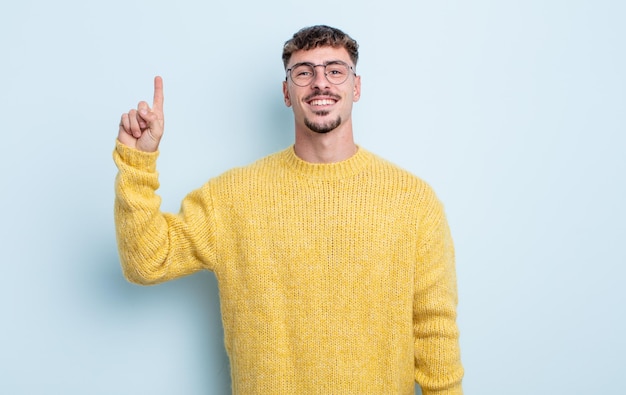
(320, 36)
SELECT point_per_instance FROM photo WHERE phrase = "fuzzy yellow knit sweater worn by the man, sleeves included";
(334, 278)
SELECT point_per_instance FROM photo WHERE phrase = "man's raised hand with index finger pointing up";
(142, 128)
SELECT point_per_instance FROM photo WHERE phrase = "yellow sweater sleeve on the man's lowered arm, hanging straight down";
(438, 367)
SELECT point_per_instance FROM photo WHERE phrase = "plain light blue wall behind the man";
(514, 111)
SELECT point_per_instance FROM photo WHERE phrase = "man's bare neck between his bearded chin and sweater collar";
(335, 146)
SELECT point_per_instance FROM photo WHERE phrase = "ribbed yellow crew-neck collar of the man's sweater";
(338, 170)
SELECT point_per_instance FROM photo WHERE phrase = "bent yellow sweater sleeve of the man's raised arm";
(153, 246)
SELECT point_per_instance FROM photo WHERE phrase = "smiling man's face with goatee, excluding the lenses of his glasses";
(322, 107)
